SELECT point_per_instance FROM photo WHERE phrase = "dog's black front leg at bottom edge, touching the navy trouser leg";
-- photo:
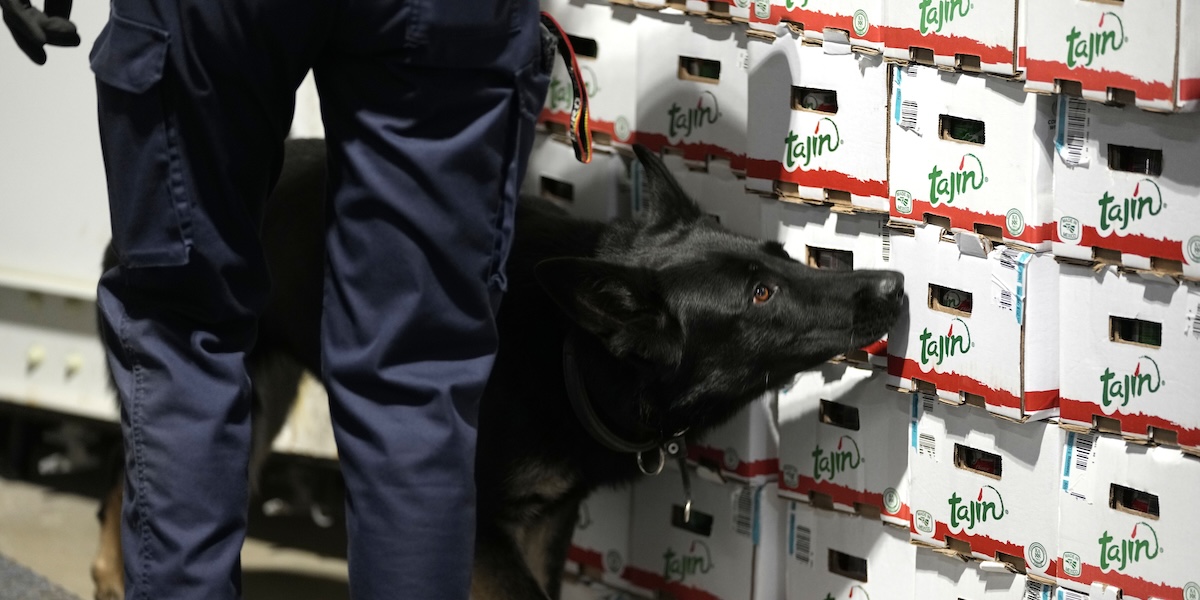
(500, 572)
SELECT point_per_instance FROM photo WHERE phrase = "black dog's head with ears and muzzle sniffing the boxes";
(717, 317)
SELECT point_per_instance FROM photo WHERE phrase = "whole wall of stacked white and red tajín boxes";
(1028, 430)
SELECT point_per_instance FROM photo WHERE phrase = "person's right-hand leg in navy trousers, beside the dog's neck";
(429, 125)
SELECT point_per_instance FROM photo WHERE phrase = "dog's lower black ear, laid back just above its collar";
(617, 304)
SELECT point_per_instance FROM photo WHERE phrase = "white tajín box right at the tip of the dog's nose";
(982, 326)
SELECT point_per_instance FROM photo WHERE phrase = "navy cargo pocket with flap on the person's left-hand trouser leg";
(148, 205)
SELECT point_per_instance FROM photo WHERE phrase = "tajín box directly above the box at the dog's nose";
(973, 154)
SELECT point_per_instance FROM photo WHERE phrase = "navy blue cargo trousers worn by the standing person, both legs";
(429, 110)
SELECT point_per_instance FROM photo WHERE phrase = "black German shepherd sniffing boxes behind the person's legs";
(617, 341)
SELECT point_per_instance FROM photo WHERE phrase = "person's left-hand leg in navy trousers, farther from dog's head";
(195, 103)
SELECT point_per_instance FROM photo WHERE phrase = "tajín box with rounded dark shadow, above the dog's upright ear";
(692, 89)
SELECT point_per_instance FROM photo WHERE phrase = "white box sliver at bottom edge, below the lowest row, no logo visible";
(945, 578)
